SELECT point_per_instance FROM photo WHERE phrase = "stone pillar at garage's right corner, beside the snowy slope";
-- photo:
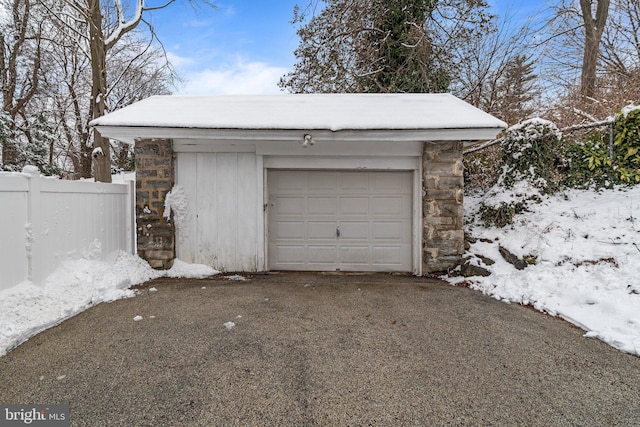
(443, 212)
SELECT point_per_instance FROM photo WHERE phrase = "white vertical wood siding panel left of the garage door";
(222, 227)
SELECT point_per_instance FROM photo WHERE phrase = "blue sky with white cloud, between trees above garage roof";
(245, 46)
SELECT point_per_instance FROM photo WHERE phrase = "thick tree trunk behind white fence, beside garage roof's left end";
(101, 150)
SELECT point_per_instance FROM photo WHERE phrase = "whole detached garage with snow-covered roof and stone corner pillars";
(304, 182)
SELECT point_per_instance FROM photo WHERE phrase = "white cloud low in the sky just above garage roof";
(240, 77)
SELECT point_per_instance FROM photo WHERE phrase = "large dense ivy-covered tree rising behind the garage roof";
(383, 45)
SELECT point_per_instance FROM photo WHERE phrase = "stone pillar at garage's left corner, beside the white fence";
(154, 179)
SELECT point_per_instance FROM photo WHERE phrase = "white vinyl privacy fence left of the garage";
(45, 221)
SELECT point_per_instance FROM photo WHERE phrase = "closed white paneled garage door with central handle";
(340, 220)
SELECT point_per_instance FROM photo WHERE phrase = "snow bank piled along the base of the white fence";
(28, 308)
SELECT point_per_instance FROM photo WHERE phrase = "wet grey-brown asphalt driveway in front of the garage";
(310, 349)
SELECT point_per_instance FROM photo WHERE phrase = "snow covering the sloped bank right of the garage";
(587, 267)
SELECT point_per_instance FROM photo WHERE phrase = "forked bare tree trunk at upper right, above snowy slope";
(593, 28)
